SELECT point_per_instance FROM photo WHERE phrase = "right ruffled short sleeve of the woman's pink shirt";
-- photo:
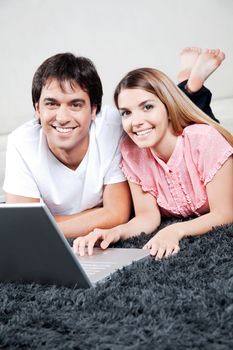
(212, 150)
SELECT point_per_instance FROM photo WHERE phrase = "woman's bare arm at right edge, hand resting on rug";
(220, 197)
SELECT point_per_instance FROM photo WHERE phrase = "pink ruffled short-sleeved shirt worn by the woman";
(179, 185)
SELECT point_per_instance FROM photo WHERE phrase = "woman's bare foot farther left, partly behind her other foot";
(188, 57)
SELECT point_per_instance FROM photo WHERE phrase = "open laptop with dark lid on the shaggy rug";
(33, 249)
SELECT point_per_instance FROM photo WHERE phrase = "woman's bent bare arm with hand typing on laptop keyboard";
(147, 219)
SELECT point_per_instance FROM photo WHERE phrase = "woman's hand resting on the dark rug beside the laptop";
(165, 242)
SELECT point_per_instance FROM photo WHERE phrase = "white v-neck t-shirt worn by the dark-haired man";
(33, 171)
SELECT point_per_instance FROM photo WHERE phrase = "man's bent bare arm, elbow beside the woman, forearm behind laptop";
(116, 210)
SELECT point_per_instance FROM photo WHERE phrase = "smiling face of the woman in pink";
(144, 118)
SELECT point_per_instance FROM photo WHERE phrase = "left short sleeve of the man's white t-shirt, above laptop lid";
(18, 178)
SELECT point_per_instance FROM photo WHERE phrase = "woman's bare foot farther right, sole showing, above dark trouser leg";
(206, 63)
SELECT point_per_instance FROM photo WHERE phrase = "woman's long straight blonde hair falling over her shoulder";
(182, 112)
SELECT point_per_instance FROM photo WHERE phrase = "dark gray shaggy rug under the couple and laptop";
(183, 302)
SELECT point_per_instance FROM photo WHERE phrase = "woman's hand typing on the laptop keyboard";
(105, 237)
